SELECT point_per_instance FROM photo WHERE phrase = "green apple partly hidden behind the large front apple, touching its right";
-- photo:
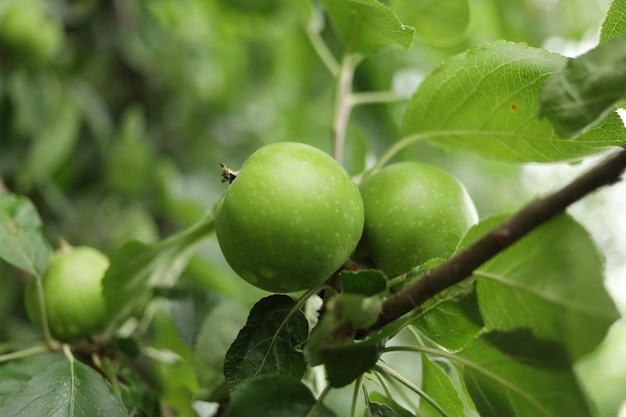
(413, 212)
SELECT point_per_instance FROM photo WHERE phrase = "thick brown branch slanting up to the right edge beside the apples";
(462, 265)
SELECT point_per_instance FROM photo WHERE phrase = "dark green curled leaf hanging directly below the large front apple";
(269, 342)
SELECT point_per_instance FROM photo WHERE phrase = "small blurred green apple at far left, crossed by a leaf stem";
(72, 291)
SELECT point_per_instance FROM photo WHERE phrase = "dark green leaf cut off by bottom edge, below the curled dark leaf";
(274, 396)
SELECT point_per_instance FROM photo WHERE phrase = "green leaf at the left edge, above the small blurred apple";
(23, 244)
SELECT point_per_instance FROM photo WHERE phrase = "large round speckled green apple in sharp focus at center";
(290, 218)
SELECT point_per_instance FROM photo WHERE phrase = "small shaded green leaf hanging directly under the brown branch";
(452, 317)
